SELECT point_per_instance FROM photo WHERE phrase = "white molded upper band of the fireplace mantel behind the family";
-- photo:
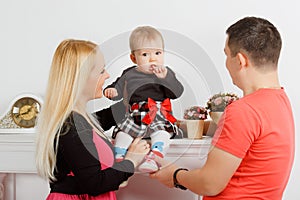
(17, 150)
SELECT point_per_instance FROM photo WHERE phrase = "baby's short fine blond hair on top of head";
(145, 34)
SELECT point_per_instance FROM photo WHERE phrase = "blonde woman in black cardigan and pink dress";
(73, 152)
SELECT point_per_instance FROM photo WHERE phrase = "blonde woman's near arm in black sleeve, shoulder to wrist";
(80, 155)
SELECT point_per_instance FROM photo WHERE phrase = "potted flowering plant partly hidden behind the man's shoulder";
(217, 104)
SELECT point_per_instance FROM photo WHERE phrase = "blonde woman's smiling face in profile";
(97, 77)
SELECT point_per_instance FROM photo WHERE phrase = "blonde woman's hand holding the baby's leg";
(137, 151)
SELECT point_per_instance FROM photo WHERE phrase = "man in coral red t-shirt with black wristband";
(253, 147)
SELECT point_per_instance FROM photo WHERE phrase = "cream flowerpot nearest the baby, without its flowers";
(194, 129)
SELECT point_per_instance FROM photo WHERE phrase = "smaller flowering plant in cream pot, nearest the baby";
(194, 118)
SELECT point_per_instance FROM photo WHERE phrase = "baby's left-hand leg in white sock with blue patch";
(122, 142)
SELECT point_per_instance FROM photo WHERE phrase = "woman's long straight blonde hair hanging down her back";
(71, 65)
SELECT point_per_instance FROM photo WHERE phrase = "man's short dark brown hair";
(257, 37)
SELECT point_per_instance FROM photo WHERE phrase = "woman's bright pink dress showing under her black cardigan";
(106, 157)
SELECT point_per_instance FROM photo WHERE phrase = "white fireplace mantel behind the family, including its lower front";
(17, 156)
